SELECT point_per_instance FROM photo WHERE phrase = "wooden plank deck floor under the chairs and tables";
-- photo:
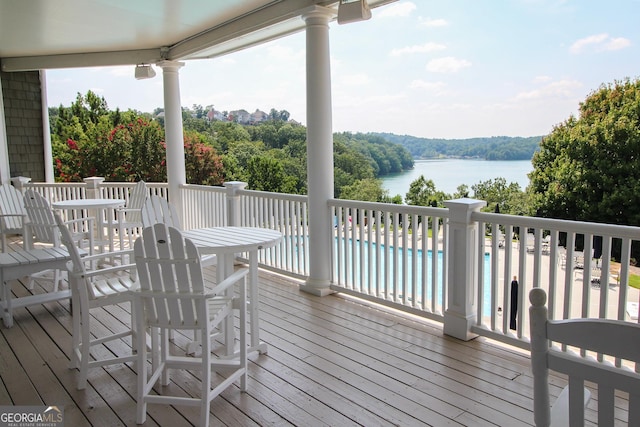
(331, 362)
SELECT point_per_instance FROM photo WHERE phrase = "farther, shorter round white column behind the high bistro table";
(174, 138)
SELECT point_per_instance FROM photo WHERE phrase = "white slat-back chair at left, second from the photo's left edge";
(42, 228)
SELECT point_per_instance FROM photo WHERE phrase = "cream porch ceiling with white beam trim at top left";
(44, 34)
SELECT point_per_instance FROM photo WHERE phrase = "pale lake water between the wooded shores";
(448, 174)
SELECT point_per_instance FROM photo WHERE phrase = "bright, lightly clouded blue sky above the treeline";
(427, 68)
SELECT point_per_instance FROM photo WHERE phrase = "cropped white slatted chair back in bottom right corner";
(613, 339)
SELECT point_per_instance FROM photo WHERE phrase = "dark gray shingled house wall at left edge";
(23, 115)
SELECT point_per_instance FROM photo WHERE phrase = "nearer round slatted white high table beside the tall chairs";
(225, 243)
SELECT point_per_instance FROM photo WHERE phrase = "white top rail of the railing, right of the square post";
(621, 231)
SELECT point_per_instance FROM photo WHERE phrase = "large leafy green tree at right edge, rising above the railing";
(588, 167)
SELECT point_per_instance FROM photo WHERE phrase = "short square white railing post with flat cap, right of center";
(462, 268)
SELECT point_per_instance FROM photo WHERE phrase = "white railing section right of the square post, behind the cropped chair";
(581, 281)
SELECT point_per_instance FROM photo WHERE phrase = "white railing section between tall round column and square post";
(394, 255)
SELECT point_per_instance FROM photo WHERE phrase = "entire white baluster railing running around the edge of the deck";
(452, 265)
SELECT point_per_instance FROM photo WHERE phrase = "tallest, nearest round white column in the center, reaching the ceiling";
(319, 150)
